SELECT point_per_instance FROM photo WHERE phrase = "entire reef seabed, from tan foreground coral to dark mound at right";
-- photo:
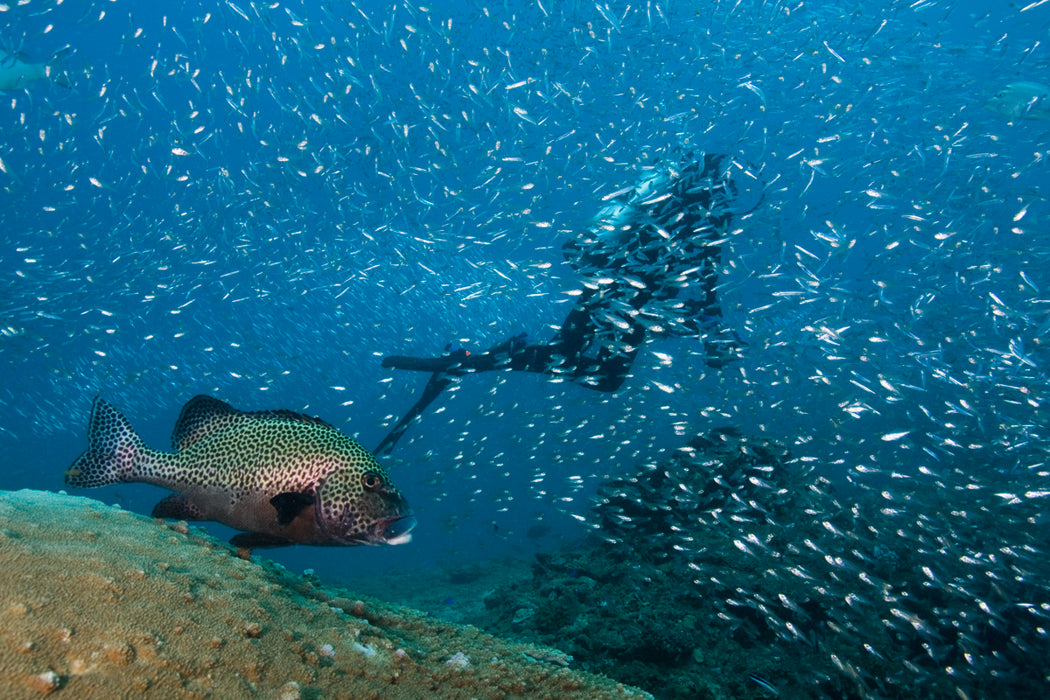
(730, 570)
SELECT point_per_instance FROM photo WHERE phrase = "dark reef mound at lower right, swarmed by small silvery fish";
(732, 571)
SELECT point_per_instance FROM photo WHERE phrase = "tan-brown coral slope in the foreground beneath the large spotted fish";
(99, 603)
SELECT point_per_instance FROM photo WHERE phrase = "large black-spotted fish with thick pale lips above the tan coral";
(281, 477)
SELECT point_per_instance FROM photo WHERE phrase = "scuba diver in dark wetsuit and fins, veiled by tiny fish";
(650, 265)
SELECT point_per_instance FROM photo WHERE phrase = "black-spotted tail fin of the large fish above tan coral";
(114, 452)
